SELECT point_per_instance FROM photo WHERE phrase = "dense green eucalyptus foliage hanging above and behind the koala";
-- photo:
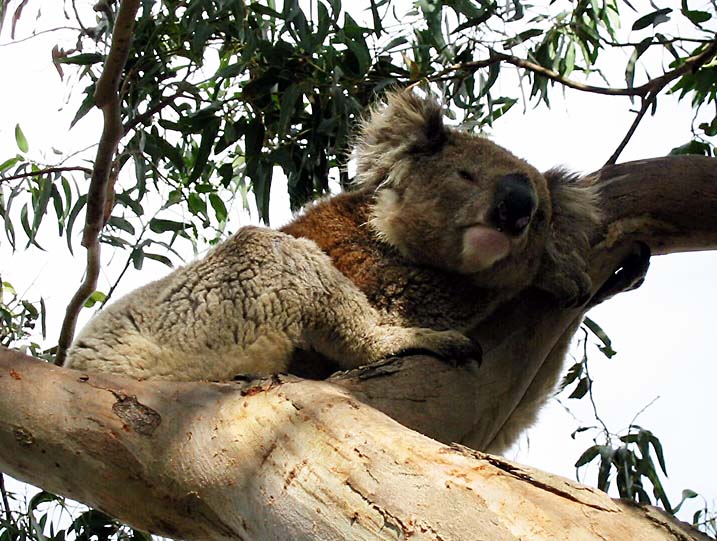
(218, 96)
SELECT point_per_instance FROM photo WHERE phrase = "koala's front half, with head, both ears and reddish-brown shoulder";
(444, 225)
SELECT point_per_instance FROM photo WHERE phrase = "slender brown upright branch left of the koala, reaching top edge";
(107, 99)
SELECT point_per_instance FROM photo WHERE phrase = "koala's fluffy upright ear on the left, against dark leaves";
(400, 127)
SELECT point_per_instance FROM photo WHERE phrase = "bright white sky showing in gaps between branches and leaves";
(662, 332)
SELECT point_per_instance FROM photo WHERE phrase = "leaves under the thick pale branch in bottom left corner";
(33, 520)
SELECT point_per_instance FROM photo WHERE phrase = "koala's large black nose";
(514, 204)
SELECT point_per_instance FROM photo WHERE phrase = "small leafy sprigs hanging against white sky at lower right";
(630, 459)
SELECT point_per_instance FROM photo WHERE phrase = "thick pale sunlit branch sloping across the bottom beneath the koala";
(280, 459)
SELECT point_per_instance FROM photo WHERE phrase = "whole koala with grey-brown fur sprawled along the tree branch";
(441, 227)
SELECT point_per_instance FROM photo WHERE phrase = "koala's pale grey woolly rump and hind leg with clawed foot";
(243, 309)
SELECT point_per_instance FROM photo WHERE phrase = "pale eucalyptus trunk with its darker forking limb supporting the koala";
(297, 459)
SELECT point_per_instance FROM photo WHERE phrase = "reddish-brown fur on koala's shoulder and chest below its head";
(405, 292)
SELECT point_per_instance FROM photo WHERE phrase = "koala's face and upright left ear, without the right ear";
(451, 199)
